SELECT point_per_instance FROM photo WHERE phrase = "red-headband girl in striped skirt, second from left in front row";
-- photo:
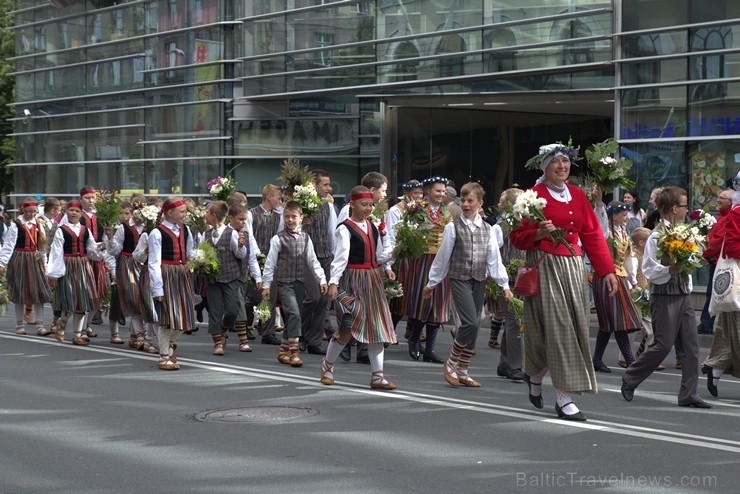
(72, 274)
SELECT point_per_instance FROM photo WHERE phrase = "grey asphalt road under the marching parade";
(103, 418)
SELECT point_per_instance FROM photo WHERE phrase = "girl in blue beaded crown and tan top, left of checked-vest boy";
(414, 276)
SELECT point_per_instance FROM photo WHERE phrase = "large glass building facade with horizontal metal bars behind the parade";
(160, 96)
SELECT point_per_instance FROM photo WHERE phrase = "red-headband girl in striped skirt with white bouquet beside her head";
(171, 246)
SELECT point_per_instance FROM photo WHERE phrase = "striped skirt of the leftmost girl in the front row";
(26, 277)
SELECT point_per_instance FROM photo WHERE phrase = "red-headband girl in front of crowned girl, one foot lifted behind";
(356, 285)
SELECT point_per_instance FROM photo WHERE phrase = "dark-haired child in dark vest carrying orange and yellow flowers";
(670, 256)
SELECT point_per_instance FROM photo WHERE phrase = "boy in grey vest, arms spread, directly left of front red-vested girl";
(291, 255)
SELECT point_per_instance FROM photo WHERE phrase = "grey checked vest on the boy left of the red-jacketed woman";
(469, 255)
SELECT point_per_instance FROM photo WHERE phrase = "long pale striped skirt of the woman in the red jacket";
(556, 324)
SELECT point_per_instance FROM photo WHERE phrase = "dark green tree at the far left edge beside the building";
(7, 95)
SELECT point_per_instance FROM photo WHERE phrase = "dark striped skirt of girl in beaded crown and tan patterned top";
(414, 276)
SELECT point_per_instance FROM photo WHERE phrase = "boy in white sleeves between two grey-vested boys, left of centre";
(238, 216)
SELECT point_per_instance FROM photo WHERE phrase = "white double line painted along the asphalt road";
(640, 432)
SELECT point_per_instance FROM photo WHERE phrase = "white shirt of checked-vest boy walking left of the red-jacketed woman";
(441, 264)
